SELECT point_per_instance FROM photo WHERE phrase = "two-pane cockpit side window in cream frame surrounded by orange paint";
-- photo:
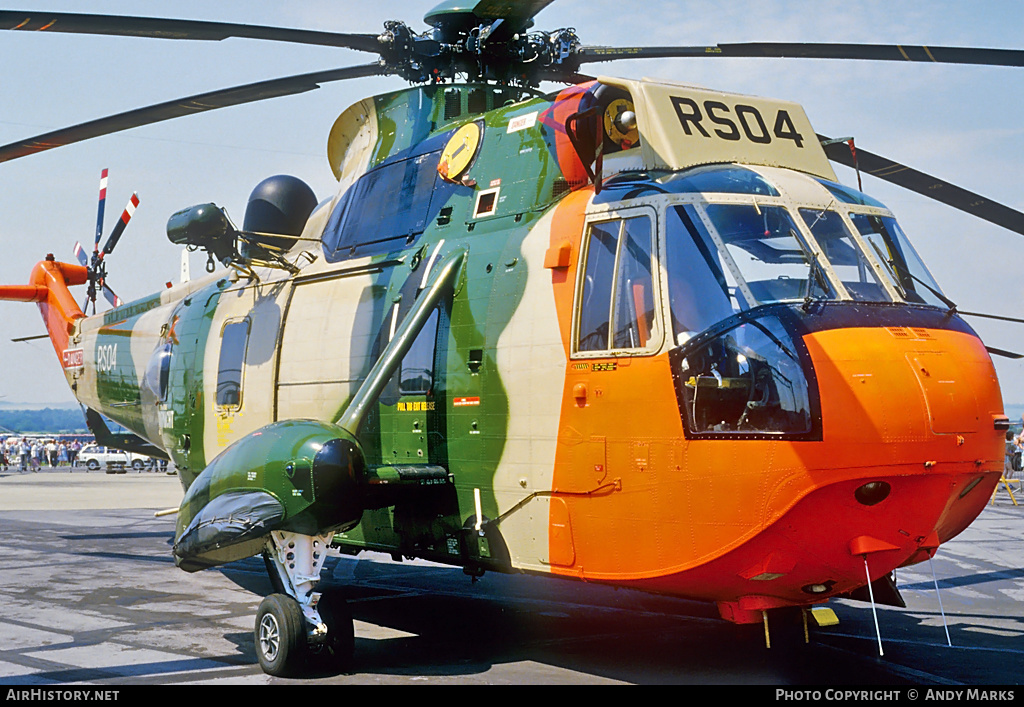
(617, 306)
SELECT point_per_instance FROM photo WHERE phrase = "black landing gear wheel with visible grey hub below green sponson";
(280, 637)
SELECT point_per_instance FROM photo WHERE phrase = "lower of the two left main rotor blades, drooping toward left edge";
(237, 96)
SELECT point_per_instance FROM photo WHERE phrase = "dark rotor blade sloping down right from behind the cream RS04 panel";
(927, 186)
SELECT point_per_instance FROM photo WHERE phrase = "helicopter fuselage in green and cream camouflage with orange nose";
(587, 461)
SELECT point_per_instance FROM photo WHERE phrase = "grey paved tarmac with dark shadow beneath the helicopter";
(90, 596)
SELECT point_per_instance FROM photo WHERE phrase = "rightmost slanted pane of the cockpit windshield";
(904, 266)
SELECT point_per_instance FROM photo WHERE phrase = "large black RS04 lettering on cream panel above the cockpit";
(751, 123)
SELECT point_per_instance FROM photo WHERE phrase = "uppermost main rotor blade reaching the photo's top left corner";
(177, 29)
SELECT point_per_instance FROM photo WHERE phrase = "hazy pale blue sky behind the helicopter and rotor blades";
(960, 123)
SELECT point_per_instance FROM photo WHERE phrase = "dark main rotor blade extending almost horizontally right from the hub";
(881, 53)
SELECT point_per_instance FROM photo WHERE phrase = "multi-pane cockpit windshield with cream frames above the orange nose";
(733, 251)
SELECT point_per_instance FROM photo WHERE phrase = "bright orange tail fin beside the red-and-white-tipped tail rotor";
(49, 287)
